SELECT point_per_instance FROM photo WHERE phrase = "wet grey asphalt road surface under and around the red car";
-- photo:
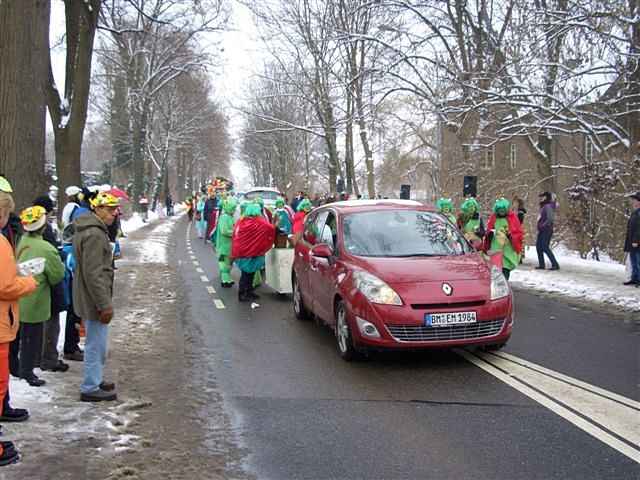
(302, 412)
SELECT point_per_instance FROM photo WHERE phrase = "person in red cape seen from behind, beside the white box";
(253, 237)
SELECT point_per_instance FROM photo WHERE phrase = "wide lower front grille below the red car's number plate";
(422, 333)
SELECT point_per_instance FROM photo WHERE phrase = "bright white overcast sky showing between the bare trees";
(241, 56)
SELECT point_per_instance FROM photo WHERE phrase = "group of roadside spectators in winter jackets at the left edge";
(45, 273)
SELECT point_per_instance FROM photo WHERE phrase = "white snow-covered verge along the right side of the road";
(579, 279)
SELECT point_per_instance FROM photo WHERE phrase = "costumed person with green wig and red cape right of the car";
(504, 234)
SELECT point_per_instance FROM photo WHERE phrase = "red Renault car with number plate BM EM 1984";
(397, 274)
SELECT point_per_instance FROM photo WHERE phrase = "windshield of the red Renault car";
(402, 233)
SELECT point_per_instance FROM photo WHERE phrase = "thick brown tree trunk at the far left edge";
(24, 40)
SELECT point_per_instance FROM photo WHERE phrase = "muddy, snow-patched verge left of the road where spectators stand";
(129, 438)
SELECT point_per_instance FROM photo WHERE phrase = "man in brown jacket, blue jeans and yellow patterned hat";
(92, 293)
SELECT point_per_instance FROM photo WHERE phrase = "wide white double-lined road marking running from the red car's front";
(557, 395)
